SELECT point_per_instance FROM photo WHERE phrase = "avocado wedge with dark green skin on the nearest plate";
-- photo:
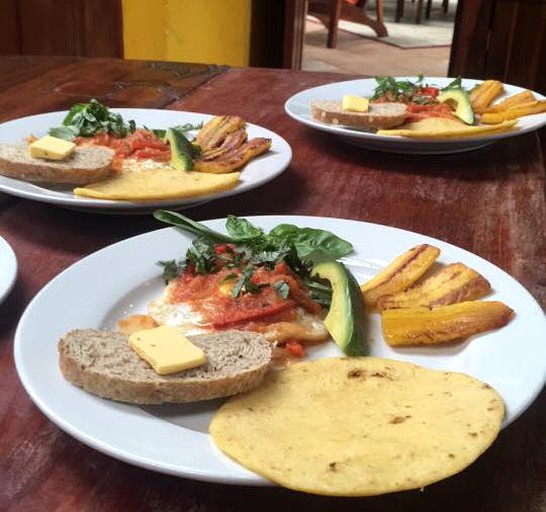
(346, 319)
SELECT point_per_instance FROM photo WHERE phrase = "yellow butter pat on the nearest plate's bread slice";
(166, 349)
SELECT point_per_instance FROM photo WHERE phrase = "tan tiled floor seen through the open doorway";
(355, 54)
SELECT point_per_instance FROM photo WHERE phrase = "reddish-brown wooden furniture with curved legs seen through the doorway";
(329, 12)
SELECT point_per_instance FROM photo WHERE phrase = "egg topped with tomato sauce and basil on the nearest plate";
(250, 279)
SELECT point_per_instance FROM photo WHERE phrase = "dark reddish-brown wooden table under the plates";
(489, 201)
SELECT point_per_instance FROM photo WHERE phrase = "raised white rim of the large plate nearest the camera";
(183, 470)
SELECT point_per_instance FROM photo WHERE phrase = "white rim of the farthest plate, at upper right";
(372, 139)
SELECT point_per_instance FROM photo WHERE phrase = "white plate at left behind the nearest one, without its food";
(258, 172)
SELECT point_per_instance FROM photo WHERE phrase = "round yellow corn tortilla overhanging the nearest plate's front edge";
(359, 426)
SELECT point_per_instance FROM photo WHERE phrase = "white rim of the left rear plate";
(10, 185)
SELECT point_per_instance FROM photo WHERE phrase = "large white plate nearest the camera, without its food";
(173, 438)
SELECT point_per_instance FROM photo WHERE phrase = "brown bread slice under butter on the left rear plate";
(86, 165)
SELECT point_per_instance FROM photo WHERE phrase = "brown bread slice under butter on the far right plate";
(379, 115)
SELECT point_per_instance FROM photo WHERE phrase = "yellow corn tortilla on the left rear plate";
(160, 183)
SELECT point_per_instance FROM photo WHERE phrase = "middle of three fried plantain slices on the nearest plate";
(454, 283)
